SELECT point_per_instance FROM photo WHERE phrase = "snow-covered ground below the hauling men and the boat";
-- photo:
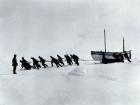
(88, 84)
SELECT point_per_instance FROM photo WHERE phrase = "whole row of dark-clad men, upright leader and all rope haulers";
(36, 63)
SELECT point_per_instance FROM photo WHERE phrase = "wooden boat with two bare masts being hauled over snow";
(111, 57)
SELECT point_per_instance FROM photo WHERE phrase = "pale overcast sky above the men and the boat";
(48, 27)
